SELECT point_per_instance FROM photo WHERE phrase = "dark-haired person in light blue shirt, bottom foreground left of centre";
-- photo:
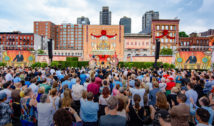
(89, 110)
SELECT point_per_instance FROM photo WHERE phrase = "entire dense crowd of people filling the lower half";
(105, 97)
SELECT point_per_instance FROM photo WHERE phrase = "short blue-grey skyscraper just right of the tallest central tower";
(127, 24)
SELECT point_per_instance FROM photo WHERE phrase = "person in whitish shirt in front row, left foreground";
(45, 111)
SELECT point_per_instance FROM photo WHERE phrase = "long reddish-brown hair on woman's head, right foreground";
(161, 100)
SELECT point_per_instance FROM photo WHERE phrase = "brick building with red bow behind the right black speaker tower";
(167, 31)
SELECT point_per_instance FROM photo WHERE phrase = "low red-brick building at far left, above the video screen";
(16, 41)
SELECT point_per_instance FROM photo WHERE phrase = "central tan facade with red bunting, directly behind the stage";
(103, 43)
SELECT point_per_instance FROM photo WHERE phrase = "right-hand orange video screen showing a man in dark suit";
(192, 60)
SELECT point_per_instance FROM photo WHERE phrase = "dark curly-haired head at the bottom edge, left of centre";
(63, 117)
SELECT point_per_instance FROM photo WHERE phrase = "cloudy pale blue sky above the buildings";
(194, 15)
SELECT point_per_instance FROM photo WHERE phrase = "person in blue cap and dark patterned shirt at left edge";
(5, 110)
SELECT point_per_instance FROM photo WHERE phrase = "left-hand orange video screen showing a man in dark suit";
(18, 58)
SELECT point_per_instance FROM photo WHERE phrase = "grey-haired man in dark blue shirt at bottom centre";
(111, 118)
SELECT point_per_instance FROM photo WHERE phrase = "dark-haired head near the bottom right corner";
(202, 114)
